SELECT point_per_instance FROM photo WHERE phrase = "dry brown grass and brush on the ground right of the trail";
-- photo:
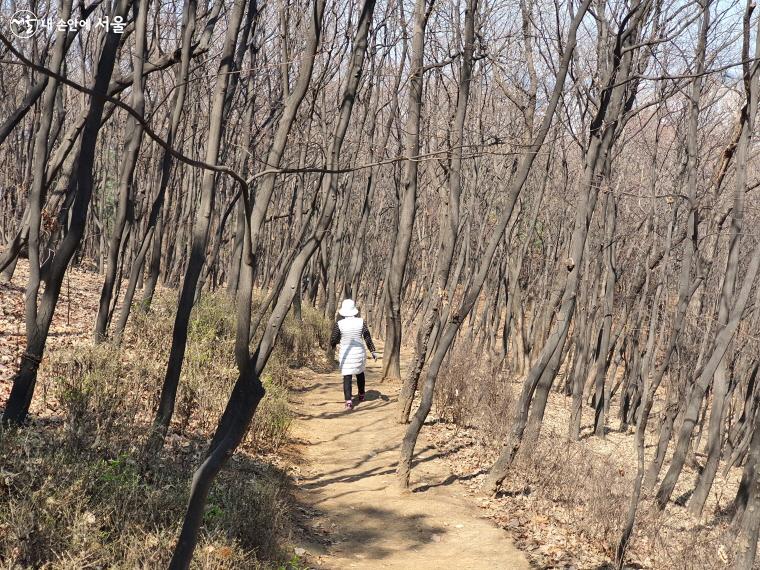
(563, 502)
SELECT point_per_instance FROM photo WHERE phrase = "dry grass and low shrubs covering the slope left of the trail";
(75, 489)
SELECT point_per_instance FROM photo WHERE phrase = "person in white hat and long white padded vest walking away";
(349, 330)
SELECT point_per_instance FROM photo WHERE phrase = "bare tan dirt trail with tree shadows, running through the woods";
(355, 516)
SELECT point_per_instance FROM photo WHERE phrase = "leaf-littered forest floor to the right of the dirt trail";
(564, 502)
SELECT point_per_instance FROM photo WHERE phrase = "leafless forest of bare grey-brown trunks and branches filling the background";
(564, 193)
